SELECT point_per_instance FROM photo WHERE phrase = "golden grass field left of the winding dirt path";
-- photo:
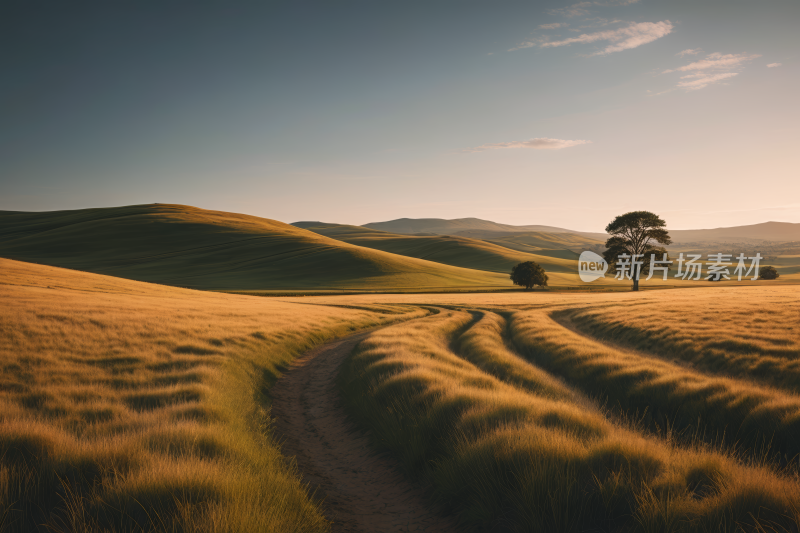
(133, 407)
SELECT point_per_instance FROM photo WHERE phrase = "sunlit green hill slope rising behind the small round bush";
(450, 250)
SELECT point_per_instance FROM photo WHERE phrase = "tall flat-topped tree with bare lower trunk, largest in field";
(633, 234)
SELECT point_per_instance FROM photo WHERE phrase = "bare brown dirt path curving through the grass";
(362, 492)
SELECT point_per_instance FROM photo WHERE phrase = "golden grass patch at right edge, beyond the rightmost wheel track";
(754, 339)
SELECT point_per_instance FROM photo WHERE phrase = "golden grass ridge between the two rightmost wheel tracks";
(667, 395)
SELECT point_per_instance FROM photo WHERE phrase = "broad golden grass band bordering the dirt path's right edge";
(506, 446)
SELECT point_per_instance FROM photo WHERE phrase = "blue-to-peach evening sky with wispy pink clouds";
(560, 113)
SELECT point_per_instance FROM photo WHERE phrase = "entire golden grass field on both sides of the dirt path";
(128, 406)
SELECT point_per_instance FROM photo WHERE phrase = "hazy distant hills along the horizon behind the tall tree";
(478, 228)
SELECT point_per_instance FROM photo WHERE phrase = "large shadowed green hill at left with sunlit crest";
(192, 247)
